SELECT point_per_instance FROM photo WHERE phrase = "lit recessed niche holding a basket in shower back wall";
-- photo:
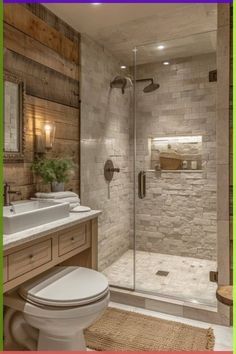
(176, 153)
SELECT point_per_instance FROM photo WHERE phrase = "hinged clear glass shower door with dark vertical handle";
(175, 238)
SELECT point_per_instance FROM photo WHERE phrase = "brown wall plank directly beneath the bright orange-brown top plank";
(20, 43)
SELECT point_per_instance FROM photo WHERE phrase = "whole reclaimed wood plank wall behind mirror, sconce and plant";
(45, 52)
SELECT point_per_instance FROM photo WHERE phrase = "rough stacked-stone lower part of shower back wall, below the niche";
(178, 215)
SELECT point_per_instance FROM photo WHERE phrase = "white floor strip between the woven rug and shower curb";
(223, 335)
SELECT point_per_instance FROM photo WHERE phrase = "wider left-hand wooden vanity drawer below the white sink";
(29, 258)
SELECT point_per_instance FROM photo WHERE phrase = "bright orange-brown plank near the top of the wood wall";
(24, 20)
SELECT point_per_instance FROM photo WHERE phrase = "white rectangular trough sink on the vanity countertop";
(28, 214)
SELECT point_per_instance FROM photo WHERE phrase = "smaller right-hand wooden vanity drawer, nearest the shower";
(72, 239)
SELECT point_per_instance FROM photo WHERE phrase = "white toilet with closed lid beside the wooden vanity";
(51, 311)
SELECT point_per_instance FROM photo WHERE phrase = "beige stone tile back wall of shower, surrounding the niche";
(178, 215)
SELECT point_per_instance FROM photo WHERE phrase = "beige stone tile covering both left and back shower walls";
(178, 215)
